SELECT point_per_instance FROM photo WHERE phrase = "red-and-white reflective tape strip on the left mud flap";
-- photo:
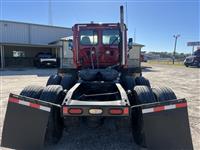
(29, 104)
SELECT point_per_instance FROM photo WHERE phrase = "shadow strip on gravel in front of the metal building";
(29, 71)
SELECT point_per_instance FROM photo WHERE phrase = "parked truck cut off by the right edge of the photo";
(193, 60)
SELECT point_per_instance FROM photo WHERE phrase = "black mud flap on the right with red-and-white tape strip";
(166, 126)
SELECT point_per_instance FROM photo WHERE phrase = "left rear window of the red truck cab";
(88, 37)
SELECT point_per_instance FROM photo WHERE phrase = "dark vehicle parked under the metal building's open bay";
(45, 60)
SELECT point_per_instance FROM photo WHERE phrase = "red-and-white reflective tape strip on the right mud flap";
(163, 108)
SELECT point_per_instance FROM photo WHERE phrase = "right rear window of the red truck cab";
(111, 37)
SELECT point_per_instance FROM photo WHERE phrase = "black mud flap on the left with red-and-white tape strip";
(25, 123)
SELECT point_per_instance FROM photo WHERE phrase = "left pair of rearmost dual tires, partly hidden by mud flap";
(53, 94)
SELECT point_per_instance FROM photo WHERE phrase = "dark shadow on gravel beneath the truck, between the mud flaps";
(106, 137)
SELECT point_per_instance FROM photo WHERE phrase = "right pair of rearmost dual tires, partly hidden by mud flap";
(144, 95)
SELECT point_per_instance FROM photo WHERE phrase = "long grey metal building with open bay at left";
(20, 42)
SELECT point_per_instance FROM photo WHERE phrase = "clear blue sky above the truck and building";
(155, 22)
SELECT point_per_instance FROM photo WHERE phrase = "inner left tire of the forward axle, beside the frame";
(67, 82)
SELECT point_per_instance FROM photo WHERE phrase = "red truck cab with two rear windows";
(97, 45)
